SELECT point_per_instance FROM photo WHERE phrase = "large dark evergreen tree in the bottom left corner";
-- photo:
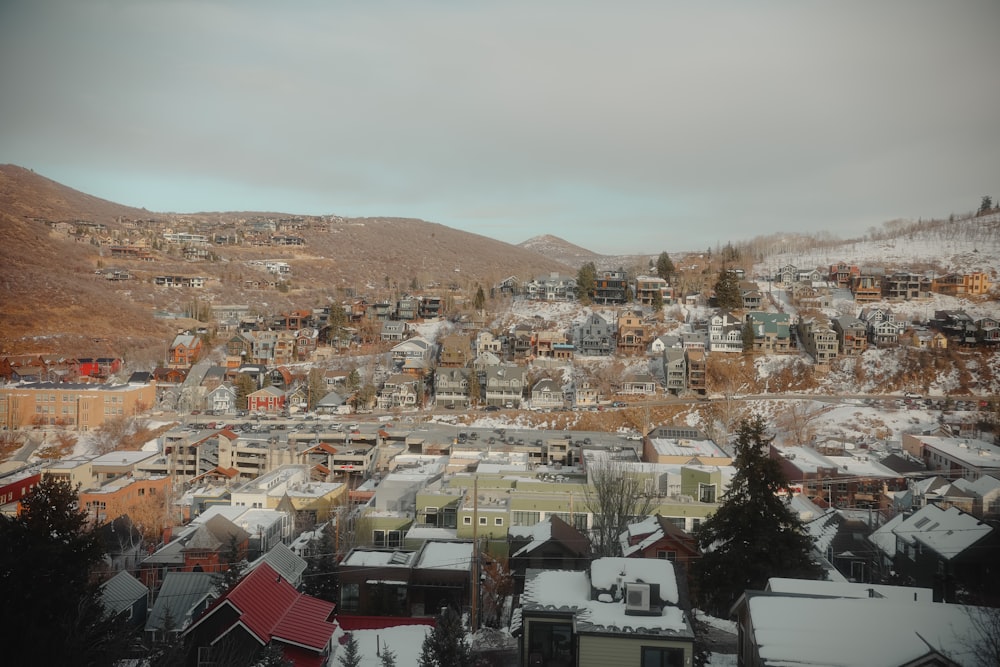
(53, 612)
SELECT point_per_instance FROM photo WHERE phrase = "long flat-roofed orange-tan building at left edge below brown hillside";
(81, 406)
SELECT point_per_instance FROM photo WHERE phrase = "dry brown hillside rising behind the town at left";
(52, 300)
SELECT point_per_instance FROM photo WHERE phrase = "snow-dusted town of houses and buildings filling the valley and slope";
(426, 456)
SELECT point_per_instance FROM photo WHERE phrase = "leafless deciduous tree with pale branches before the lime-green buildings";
(616, 495)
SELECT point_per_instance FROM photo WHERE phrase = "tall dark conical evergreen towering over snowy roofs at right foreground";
(754, 535)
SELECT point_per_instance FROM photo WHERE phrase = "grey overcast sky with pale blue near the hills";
(619, 126)
